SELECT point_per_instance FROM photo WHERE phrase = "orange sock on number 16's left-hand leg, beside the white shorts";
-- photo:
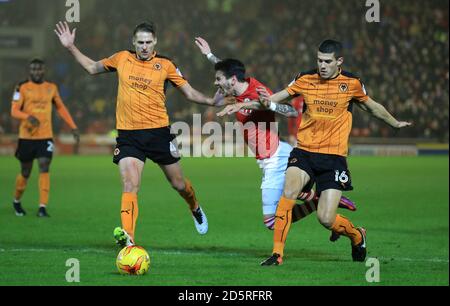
(283, 222)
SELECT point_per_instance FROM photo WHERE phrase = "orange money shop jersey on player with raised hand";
(142, 89)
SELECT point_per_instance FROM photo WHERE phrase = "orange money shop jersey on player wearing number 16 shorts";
(327, 117)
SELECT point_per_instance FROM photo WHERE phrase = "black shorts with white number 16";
(326, 170)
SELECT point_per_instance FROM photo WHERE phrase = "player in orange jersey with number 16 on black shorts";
(320, 156)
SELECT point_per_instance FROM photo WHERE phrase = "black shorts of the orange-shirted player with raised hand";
(159, 145)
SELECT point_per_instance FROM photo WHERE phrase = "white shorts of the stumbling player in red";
(274, 170)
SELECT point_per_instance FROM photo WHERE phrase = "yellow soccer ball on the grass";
(133, 260)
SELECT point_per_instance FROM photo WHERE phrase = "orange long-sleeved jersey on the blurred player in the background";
(37, 99)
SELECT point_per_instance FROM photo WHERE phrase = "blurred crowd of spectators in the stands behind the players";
(403, 60)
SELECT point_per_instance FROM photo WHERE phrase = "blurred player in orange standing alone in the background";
(32, 104)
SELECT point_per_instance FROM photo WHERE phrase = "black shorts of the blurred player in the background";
(28, 150)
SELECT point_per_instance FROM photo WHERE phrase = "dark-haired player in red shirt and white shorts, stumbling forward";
(271, 153)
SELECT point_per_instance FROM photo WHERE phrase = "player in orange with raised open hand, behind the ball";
(142, 119)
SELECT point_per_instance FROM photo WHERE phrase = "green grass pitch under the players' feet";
(402, 201)
